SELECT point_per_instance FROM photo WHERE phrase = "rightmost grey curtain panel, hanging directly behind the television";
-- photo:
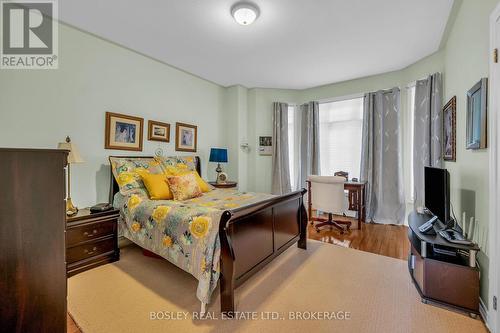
(428, 131)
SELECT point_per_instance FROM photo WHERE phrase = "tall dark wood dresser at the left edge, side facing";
(32, 245)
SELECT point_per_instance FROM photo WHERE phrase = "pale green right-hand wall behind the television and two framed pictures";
(466, 62)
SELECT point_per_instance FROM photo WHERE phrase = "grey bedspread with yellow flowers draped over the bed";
(183, 232)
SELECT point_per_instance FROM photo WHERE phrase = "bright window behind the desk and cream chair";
(340, 133)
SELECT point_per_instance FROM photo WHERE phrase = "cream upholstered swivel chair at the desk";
(326, 194)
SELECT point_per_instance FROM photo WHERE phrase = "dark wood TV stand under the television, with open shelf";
(448, 280)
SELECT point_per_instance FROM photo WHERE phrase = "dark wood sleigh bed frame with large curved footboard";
(252, 236)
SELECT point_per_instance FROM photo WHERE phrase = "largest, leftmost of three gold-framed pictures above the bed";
(123, 132)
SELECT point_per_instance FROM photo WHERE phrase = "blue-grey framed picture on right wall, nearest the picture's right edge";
(477, 101)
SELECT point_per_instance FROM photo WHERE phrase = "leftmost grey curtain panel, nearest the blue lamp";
(281, 167)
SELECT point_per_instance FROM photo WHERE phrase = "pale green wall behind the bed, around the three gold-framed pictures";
(38, 108)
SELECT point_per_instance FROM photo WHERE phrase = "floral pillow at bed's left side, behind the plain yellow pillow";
(127, 172)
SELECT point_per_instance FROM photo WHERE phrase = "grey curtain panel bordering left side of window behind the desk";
(308, 163)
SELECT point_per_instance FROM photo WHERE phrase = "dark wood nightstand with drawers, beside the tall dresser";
(91, 240)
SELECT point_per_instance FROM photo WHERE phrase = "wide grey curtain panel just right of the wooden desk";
(381, 157)
